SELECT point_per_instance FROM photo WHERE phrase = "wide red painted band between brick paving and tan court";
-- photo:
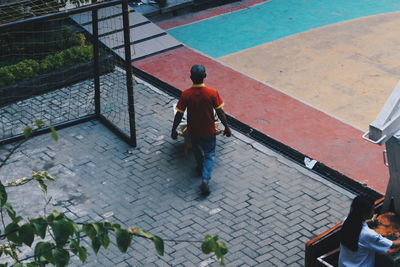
(281, 117)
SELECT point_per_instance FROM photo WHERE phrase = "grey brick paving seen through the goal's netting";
(69, 103)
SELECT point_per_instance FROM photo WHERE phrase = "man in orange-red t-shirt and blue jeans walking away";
(200, 102)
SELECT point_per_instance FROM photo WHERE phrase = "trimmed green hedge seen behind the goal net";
(30, 68)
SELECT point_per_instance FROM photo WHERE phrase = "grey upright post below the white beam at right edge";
(392, 197)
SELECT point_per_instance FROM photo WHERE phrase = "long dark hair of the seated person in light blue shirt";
(361, 208)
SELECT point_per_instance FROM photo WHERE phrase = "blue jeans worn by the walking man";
(204, 153)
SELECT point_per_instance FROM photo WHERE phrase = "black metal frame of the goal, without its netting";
(124, 63)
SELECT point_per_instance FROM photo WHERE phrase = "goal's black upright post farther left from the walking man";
(96, 54)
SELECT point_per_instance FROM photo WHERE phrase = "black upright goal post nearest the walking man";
(128, 69)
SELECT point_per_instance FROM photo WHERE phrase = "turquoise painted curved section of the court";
(229, 33)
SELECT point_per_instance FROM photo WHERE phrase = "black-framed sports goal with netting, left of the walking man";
(56, 68)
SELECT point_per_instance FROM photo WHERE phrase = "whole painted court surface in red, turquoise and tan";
(315, 90)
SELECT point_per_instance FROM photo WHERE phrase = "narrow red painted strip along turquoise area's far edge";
(208, 13)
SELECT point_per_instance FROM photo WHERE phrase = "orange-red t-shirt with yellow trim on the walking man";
(200, 102)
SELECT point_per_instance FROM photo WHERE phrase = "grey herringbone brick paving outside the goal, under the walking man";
(264, 206)
